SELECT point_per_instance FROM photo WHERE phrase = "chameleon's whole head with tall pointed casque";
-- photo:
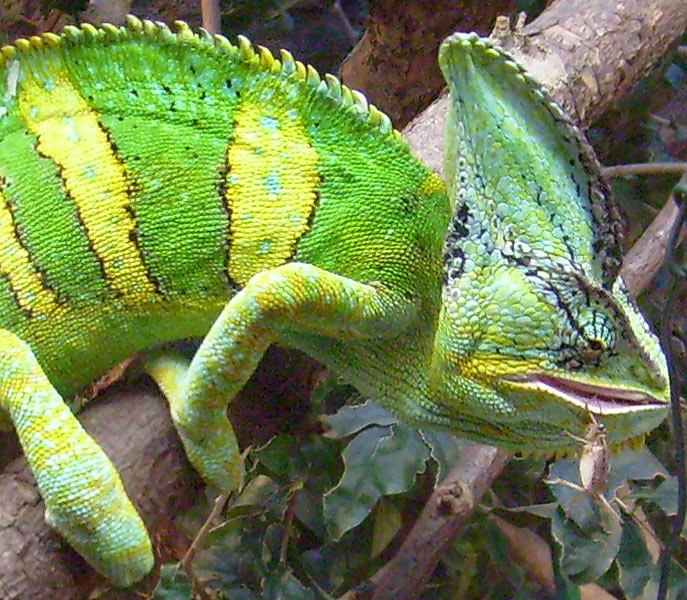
(537, 335)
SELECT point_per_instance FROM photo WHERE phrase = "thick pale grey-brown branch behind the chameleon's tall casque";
(588, 54)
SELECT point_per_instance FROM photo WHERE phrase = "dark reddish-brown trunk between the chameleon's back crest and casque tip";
(395, 62)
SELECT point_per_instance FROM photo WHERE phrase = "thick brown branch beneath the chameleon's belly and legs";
(133, 427)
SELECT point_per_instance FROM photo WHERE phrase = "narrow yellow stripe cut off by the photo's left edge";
(16, 265)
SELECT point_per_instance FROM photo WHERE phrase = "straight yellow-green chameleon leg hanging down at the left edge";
(84, 497)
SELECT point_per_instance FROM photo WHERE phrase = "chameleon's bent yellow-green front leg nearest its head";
(294, 296)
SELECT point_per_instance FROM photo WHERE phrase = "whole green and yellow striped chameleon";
(159, 185)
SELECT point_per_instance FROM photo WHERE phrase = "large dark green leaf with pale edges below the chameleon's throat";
(379, 461)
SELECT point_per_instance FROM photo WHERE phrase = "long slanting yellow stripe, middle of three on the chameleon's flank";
(69, 133)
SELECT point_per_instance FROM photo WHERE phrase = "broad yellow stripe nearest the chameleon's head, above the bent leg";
(271, 188)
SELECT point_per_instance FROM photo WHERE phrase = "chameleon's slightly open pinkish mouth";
(596, 399)
